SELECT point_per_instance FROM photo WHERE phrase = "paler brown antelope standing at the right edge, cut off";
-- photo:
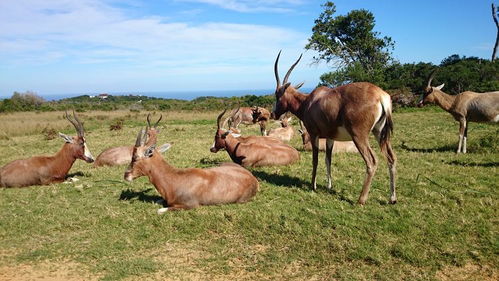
(464, 107)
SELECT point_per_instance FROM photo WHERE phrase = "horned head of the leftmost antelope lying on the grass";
(77, 144)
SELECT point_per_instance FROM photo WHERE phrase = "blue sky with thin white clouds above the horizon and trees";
(94, 46)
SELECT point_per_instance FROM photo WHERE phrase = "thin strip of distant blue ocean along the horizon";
(183, 95)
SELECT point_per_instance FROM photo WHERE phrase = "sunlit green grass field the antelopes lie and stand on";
(444, 227)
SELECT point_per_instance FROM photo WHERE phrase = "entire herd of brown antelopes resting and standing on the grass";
(333, 120)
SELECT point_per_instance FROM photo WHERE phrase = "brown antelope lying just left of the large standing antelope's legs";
(253, 153)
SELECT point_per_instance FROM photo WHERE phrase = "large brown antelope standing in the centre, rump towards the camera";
(348, 112)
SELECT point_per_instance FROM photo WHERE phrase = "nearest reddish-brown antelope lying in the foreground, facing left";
(190, 188)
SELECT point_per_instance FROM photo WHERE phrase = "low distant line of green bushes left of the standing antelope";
(30, 101)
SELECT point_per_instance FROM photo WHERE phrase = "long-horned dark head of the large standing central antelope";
(284, 90)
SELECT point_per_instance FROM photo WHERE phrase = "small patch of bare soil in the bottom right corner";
(468, 272)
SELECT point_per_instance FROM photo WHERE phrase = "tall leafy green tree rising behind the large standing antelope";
(351, 44)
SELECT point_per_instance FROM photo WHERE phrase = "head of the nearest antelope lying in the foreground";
(142, 155)
